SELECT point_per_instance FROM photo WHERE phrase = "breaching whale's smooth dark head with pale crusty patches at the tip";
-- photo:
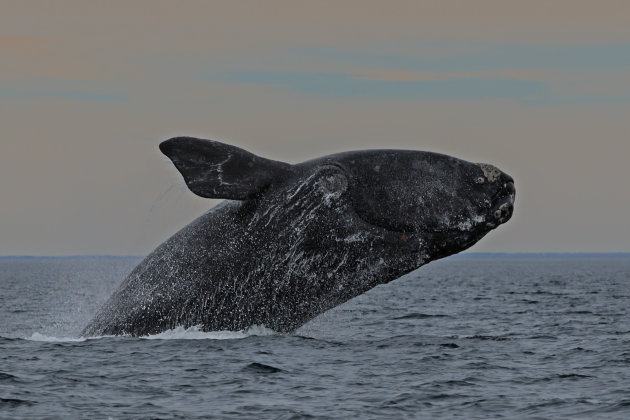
(445, 202)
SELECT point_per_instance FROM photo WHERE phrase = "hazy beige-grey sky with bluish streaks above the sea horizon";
(88, 90)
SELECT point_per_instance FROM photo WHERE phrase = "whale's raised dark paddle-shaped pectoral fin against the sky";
(215, 170)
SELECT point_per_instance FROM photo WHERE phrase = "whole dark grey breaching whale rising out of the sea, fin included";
(293, 241)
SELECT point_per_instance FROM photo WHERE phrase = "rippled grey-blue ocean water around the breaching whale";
(466, 337)
